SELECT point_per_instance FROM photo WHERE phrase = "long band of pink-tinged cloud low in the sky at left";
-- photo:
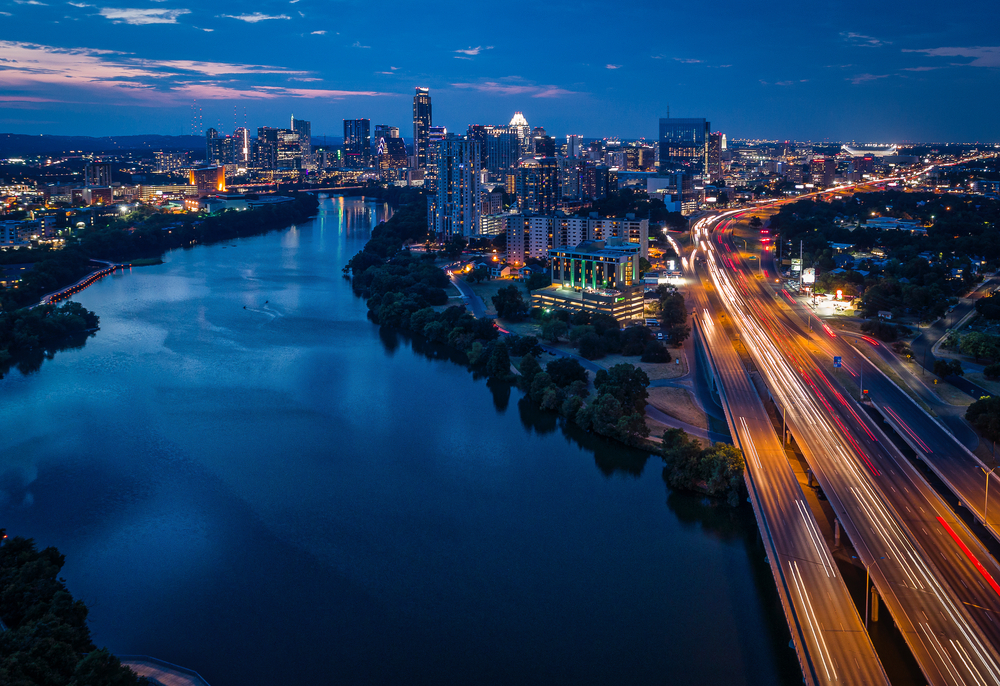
(39, 73)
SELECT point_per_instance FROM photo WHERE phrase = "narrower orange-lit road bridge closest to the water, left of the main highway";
(829, 636)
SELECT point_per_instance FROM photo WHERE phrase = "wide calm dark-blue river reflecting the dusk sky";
(250, 479)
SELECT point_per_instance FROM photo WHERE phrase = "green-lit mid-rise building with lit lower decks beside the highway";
(595, 276)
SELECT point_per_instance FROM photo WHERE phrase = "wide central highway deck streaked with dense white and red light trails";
(932, 573)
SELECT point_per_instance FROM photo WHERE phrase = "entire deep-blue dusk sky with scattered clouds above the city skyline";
(867, 71)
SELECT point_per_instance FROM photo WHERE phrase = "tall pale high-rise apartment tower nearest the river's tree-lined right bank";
(457, 204)
